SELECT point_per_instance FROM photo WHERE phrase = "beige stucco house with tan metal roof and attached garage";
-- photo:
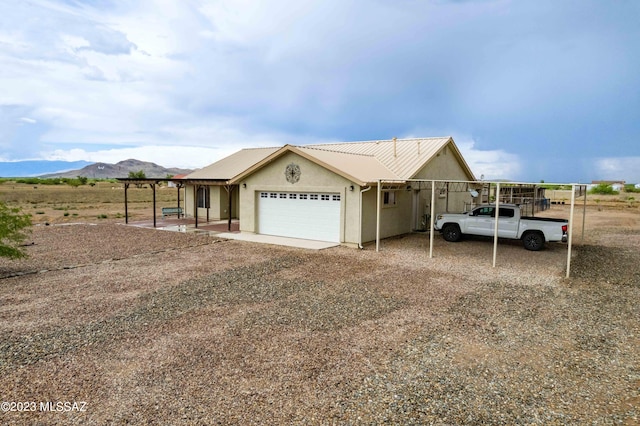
(329, 192)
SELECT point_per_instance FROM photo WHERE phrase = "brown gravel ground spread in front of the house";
(158, 327)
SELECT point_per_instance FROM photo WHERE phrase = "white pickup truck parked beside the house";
(533, 231)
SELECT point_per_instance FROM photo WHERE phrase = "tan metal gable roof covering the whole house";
(361, 162)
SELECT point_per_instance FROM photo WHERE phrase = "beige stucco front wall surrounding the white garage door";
(313, 178)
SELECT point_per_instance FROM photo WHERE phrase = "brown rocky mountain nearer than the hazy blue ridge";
(119, 170)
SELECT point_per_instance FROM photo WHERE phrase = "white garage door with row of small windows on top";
(311, 216)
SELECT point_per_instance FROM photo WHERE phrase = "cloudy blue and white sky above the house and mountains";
(530, 90)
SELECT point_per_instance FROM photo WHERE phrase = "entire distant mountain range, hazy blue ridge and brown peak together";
(71, 169)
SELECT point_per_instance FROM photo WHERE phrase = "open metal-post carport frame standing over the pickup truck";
(476, 190)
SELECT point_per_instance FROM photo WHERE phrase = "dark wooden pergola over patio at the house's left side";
(180, 183)
